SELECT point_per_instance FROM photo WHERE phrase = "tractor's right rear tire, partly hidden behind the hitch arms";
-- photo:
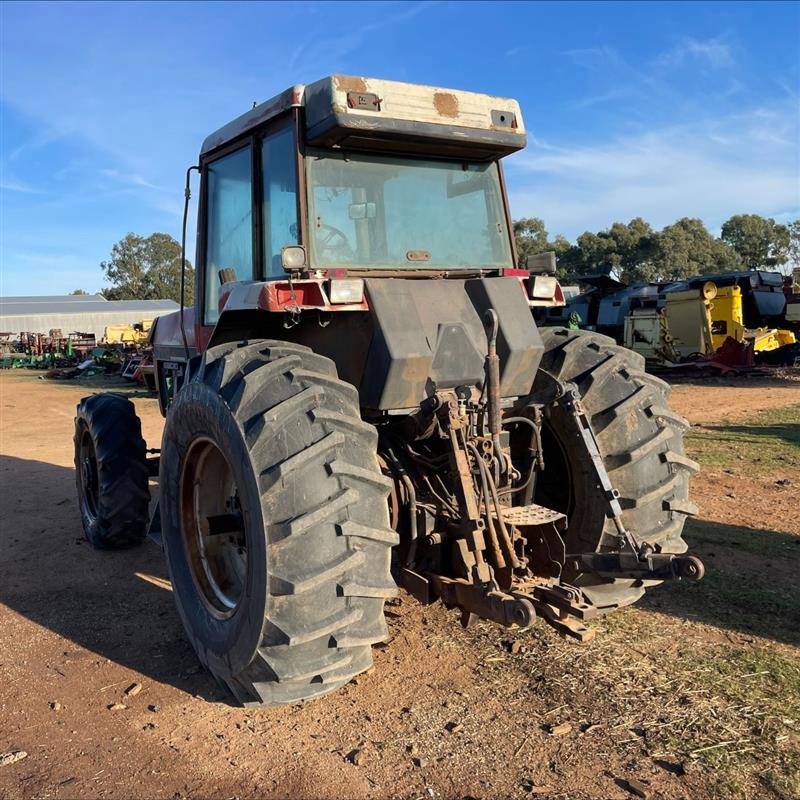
(641, 441)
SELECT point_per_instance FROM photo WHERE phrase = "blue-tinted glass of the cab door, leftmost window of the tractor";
(229, 241)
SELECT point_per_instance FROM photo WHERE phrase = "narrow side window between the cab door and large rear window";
(278, 159)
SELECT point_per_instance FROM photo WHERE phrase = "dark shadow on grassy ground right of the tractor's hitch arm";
(750, 584)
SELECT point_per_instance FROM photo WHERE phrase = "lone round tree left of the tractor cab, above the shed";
(147, 269)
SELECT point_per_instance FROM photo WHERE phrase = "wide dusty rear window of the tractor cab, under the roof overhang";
(382, 211)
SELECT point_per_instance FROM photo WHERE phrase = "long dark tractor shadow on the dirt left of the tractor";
(114, 603)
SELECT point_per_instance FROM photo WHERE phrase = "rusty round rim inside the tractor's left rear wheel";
(212, 524)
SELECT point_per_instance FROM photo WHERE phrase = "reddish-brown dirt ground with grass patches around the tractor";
(694, 693)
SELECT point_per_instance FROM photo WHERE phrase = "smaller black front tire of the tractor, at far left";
(111, 471)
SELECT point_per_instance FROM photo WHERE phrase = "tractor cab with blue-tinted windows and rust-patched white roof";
(363, 177)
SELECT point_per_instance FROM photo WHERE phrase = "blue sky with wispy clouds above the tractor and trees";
(657, 110)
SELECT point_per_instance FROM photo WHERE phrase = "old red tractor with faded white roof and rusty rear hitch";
(360, 400)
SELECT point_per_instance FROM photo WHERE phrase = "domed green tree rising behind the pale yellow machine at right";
(686, 248)
